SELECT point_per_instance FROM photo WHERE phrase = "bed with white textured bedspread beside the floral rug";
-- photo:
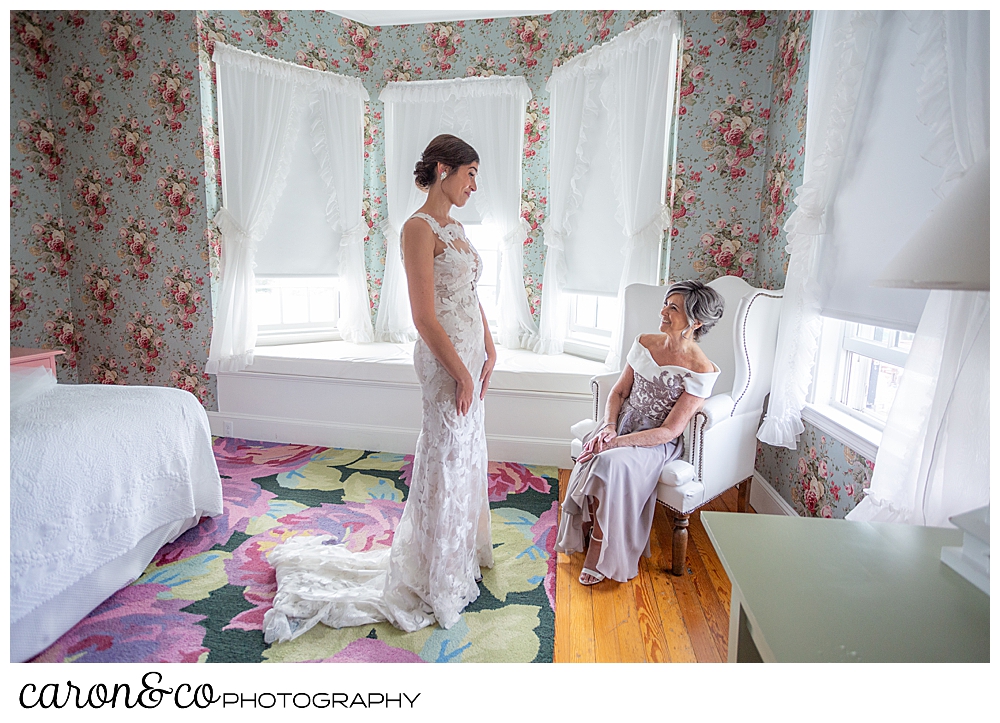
(101, 478)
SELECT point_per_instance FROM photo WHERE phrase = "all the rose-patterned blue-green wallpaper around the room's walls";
(114, 160)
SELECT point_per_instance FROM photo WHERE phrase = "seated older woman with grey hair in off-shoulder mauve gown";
(612, 490)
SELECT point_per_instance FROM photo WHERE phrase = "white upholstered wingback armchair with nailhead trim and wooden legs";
(720, 443)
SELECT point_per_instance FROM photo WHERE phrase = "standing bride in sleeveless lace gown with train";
(430, 573)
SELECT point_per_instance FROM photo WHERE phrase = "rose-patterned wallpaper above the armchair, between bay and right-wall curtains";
(739, 136)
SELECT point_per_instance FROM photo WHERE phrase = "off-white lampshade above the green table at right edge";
(951, 250)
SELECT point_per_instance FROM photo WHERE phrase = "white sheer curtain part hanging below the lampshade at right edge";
(933, 461)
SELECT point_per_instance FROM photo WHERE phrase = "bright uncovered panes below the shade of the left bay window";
(294, 310)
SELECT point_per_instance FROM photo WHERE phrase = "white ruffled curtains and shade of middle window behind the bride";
(488, 113)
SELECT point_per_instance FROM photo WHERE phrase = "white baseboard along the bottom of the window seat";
(399, 440)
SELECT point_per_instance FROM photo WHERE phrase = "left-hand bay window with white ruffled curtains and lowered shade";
(290, 139)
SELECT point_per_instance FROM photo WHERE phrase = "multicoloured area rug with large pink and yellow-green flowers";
(203, 597)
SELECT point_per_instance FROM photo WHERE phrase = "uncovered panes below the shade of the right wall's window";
(858, 370)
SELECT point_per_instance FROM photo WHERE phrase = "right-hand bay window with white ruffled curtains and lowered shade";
(608, 167)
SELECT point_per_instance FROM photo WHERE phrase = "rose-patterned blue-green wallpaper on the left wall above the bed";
(108, 253)
